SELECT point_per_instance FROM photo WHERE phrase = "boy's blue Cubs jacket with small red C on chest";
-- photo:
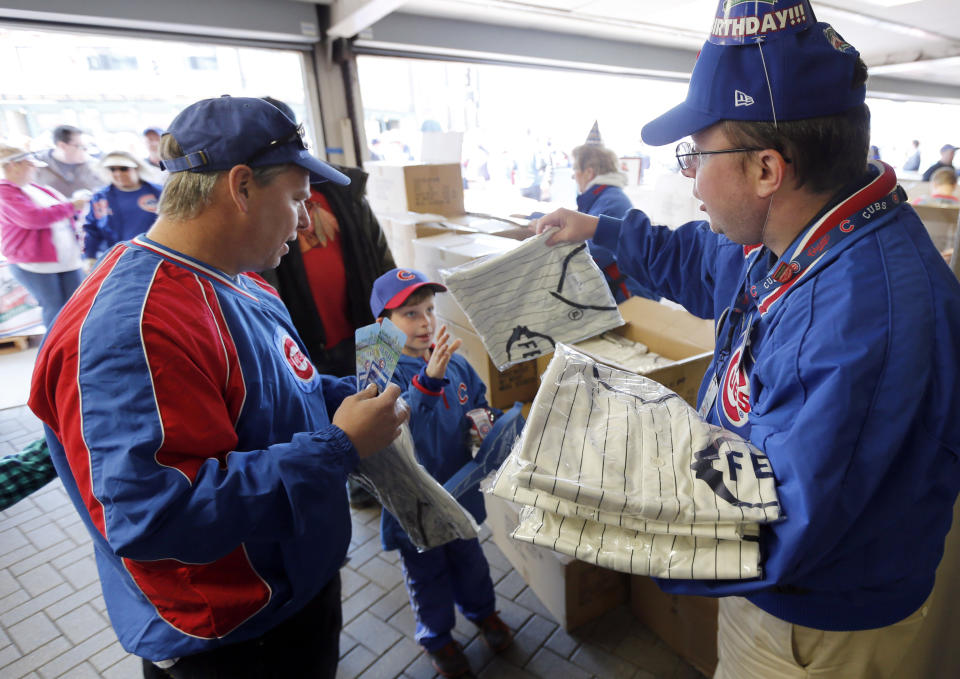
(441, 431)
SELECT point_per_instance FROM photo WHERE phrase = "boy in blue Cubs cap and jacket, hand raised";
(444, 392)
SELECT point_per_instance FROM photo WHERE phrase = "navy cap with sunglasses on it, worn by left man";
(217, 134)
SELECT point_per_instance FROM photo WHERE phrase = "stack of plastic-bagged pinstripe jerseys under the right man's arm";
(617, 470)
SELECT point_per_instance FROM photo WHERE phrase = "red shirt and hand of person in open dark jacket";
(326, 274)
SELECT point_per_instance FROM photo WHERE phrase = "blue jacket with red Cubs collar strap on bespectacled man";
(844, 373)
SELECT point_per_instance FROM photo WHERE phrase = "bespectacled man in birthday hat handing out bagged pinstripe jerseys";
(838, 337)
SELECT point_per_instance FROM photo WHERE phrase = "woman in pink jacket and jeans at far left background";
(37, 233)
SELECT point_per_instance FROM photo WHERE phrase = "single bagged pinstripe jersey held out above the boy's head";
(524, 301)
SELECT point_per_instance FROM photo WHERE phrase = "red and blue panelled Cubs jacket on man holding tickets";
(192, 434)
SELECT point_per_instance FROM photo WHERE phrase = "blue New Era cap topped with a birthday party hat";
(765, 60)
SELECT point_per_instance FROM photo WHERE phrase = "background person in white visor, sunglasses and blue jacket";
(121, 210)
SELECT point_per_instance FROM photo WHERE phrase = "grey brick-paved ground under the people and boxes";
(53, 621)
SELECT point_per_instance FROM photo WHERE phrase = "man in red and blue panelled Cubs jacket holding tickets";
(205, 453)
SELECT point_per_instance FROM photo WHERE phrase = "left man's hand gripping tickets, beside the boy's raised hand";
(370, 421)
